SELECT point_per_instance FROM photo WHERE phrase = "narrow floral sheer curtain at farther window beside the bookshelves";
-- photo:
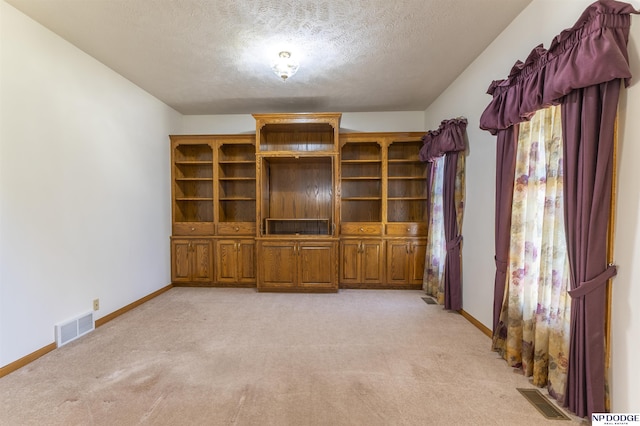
(433, 278)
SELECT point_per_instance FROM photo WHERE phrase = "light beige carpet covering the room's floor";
(209, 356)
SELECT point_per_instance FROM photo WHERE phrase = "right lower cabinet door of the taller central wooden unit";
(317, 262)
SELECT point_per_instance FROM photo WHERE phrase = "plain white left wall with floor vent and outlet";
(84, 184)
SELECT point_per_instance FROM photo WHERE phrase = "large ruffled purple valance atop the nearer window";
(593, 51)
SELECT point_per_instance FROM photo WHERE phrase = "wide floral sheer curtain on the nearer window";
(534, 327)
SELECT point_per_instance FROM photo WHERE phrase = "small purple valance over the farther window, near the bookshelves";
(450, 137)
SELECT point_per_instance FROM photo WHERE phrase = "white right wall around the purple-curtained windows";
(539, 23)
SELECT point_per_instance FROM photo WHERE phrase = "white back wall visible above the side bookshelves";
(394, 121)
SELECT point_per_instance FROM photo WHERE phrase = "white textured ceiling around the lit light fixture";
(214, 56)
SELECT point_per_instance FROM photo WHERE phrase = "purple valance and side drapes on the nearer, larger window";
(582, 69)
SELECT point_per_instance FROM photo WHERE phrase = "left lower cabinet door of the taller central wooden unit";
(278, 264)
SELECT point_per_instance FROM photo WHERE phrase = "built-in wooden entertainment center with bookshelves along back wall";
(298, 206)
